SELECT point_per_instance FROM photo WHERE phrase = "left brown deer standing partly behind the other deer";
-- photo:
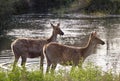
(31, 48)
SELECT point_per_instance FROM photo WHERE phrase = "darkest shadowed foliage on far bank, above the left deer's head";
(49, 5)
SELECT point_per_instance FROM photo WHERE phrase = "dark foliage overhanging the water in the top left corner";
(8, 8)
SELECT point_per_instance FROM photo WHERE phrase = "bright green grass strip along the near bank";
(89, 73)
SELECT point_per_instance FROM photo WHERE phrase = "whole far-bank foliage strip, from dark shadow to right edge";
(88, 6)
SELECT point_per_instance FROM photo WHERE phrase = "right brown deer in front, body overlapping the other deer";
(70, 55)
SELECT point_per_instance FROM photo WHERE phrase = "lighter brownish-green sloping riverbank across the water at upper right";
(94, 7)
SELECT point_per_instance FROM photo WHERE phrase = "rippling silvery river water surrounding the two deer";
(76, 28)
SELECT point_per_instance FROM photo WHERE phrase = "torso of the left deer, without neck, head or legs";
(29, 48)
